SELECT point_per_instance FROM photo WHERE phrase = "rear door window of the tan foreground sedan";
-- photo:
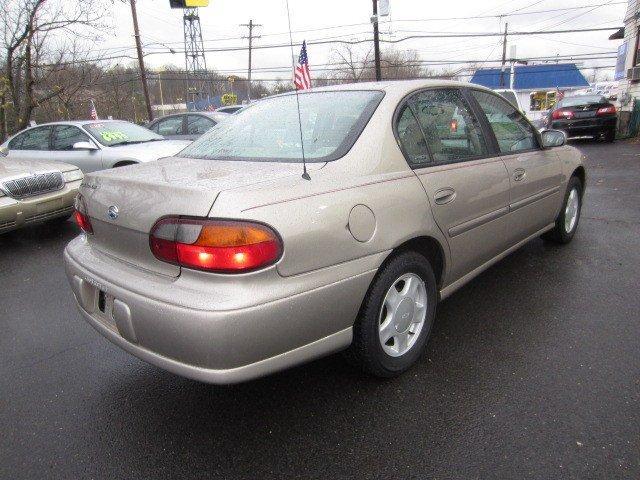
(451, 131)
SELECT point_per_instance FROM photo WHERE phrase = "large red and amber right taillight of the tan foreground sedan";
(215, 245)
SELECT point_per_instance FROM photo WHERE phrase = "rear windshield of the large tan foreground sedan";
(270, 129)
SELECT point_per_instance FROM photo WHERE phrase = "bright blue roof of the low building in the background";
(532, 77)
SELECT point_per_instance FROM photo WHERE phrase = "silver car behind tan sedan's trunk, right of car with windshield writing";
(186, 126)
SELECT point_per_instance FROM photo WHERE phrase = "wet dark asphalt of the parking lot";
(533, 371)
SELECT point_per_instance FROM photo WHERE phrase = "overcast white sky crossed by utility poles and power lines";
(161, 29)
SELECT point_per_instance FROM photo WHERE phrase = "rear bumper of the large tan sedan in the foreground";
(217, 332)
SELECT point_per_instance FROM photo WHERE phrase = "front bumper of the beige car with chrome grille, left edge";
(15, 214)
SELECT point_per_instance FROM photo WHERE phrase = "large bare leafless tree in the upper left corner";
(37, 48)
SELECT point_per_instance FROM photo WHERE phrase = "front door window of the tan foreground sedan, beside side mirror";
(512, 131)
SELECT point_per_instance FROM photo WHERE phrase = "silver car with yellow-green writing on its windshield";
(92, 144)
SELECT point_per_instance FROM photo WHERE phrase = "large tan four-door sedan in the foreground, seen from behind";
(226, 263)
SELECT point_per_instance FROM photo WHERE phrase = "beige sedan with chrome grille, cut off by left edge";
(35, 191)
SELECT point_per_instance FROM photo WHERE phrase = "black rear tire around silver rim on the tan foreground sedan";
(366, 351)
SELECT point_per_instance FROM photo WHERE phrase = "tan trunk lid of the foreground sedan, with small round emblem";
(124, 204)
